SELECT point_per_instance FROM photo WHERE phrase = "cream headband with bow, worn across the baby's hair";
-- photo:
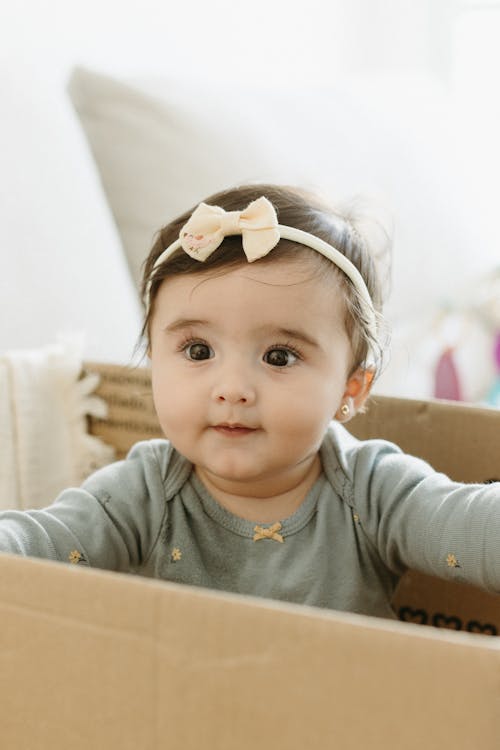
(260, 232)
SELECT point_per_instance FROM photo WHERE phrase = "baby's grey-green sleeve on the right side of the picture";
(418, 518)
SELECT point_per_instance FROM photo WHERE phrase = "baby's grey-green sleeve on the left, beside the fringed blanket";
(112, 521)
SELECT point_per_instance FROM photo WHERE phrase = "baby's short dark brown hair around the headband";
(295, 208)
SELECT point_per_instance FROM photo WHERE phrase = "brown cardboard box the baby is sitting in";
(90, 659)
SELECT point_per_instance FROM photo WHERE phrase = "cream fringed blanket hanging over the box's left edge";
(44, 443)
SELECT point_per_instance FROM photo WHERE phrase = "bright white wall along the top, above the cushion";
(268, 40)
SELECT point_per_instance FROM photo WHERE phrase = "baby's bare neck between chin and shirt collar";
(262, 506)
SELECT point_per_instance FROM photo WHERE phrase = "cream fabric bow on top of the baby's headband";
(208, 225)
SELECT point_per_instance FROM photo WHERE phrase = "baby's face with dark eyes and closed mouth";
(248, 368)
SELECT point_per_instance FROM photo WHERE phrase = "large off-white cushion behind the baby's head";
(163, 145)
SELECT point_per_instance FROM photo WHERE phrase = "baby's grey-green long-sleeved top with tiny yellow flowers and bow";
(373, 513)
